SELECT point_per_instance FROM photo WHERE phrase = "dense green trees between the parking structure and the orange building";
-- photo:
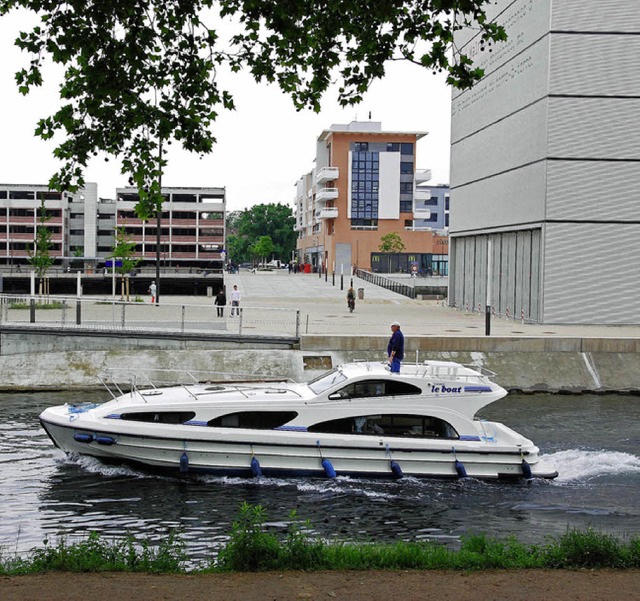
(274, 220)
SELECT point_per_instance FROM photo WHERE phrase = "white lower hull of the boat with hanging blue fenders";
(285, 454)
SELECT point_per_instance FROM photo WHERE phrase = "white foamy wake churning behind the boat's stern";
(578, 464)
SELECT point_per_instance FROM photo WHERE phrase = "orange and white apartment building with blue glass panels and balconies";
(364, 185)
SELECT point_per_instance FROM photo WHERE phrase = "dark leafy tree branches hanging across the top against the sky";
(141, 74)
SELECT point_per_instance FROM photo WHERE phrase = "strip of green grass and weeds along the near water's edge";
(252, 548)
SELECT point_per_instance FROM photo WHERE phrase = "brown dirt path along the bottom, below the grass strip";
(524, 585)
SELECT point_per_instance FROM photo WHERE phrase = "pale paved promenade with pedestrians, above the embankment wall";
(271, 301)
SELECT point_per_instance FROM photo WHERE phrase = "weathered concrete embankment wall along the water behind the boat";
(46, 360)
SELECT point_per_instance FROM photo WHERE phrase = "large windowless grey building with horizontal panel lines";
(545, 171)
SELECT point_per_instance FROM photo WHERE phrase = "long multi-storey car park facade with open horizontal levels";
(83, 225)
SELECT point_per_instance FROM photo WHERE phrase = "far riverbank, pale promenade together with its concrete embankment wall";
(525, 357)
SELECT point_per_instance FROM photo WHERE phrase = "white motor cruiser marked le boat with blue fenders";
(357, 420)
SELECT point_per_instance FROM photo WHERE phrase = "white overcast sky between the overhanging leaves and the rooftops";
(263, 148)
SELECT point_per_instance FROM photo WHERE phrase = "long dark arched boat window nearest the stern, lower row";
(418, 426)
